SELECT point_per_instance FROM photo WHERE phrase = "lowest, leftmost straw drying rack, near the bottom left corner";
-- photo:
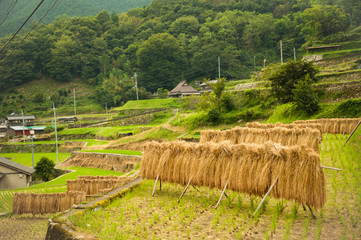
(40, 203)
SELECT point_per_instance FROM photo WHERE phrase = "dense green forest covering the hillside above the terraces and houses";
(172, 40)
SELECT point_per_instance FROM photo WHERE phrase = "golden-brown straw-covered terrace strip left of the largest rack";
(107, 161)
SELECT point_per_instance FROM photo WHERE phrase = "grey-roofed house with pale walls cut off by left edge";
(14, 175)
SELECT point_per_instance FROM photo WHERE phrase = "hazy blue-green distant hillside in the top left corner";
(18, 10)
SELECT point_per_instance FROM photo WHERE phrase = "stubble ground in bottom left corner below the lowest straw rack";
(23, 227)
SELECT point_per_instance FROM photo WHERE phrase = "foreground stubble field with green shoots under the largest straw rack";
(138, 215)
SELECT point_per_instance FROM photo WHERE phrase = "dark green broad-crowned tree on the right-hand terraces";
(284, 78)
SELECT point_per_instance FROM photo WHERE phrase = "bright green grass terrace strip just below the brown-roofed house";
(150, 104)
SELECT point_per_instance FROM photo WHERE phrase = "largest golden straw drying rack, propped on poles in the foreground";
(248, 168)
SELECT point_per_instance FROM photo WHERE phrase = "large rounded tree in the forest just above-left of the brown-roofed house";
(162, 61)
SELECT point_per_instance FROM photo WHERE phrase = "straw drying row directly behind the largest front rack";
(284, 136)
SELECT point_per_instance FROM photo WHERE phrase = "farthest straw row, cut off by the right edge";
(333, 125)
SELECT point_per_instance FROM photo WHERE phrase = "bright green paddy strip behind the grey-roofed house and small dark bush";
(26, 158)
